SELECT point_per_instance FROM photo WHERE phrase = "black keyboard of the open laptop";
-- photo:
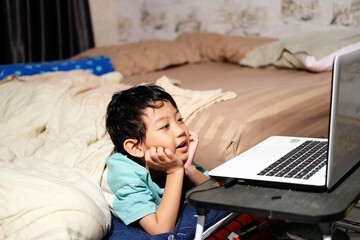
(302, 162)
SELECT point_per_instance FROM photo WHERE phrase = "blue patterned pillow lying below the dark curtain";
(98, 66)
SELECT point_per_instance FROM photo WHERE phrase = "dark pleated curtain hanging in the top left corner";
(43, 30)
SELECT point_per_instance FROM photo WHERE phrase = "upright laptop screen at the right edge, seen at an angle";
(344, 142)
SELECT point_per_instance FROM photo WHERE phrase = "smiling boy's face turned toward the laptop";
(165, 128)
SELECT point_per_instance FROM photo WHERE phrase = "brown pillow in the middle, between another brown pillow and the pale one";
(217, 47)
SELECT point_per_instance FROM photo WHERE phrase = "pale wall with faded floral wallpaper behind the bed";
(165, 19)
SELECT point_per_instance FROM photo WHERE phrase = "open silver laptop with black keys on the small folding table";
(274, 161)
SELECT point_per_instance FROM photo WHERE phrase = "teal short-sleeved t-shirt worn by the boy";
(136, 195)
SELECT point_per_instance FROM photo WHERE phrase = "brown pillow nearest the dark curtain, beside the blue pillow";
(145, 56)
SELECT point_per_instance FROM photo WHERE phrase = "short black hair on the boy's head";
(125, 111)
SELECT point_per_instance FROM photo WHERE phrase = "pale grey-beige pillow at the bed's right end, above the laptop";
(304, 51)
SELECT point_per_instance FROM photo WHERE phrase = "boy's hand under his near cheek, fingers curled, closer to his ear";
(163, 160)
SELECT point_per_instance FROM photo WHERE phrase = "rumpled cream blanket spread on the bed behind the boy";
(53, 148)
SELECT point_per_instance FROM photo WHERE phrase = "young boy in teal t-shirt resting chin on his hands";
(149, 133)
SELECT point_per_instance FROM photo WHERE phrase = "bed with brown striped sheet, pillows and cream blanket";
(233, 92)
